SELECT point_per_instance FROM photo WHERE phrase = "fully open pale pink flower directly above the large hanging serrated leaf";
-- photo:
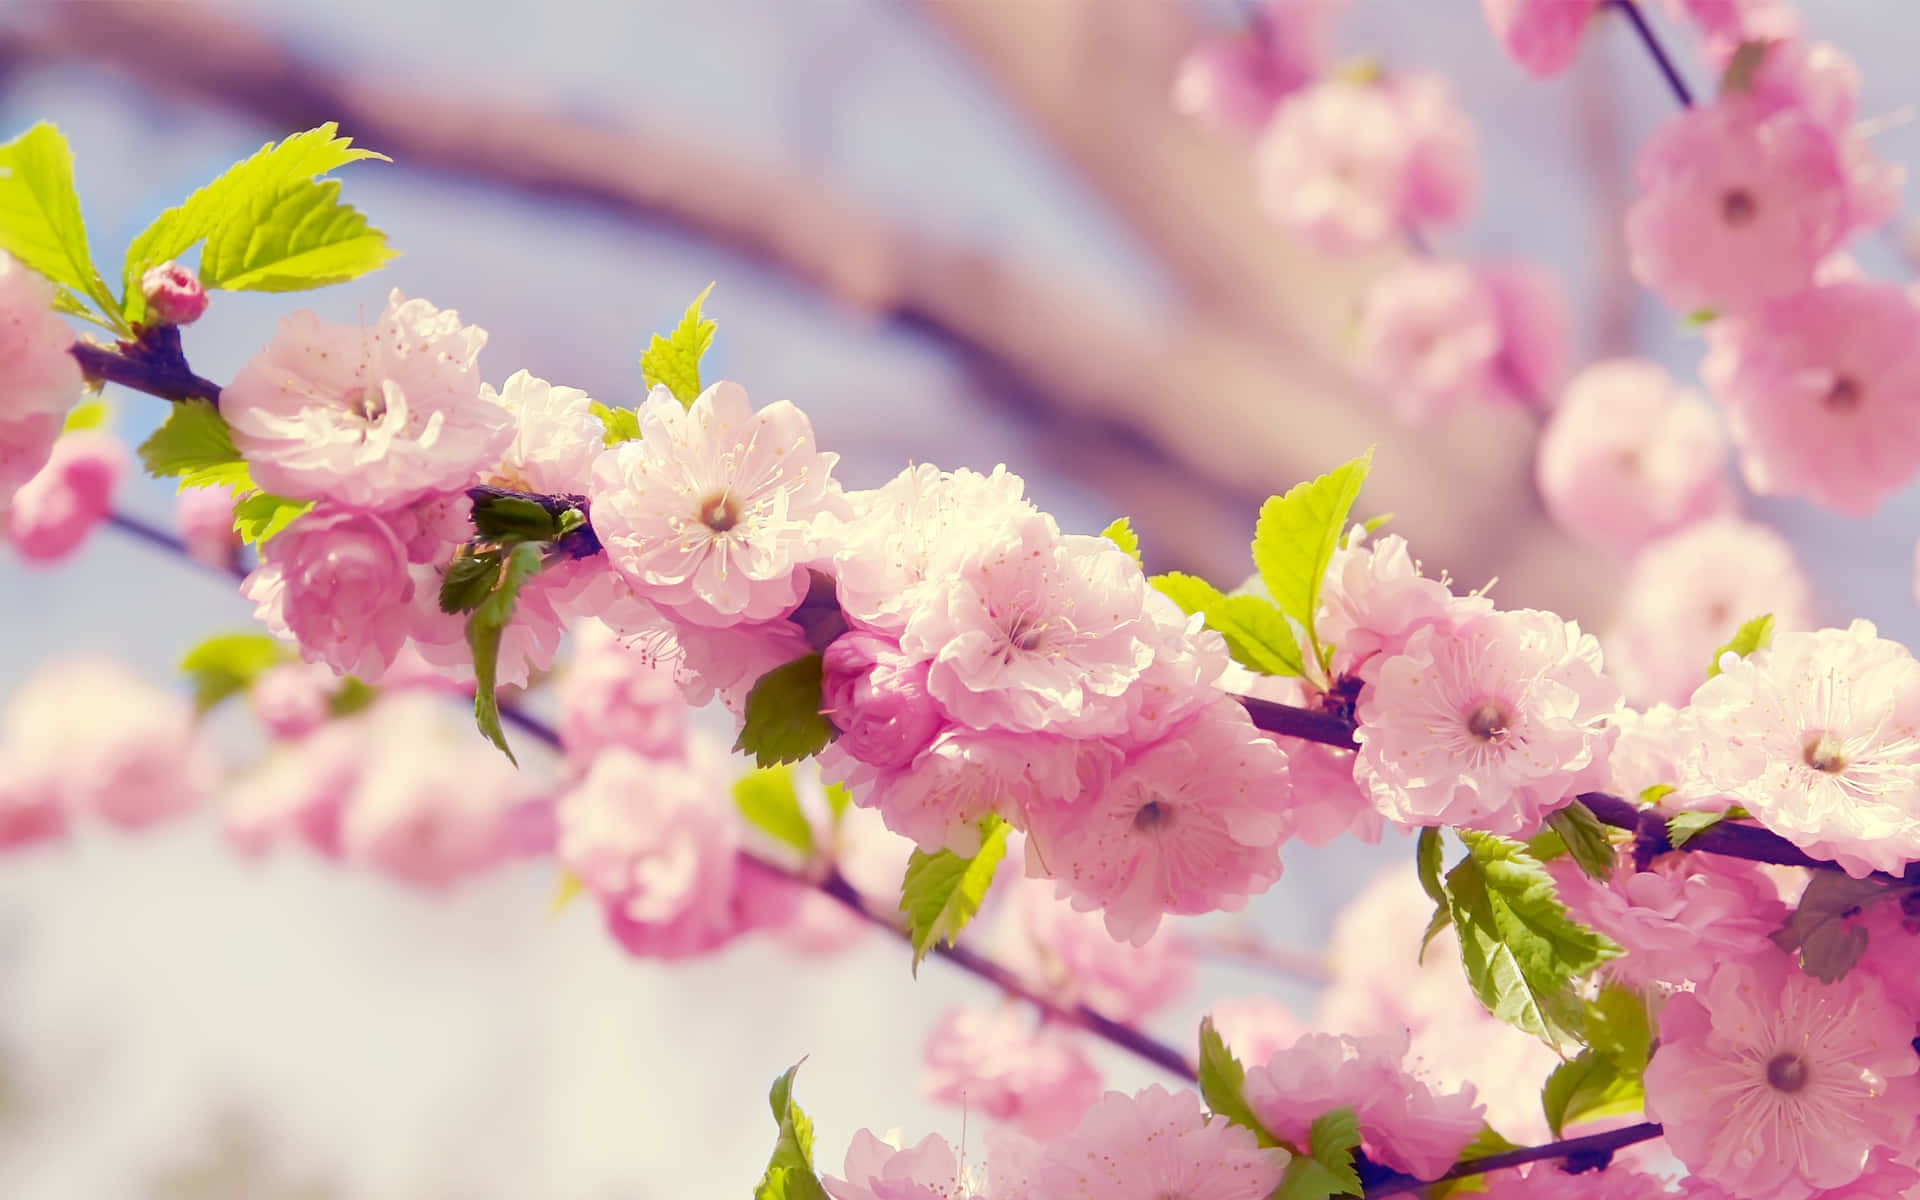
(1487, 727)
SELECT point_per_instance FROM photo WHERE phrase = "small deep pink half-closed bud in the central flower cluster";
(878, 700)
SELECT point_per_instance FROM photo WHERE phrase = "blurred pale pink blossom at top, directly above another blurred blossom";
(1353, 166)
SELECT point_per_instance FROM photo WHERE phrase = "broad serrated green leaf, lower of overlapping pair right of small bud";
(295, 241)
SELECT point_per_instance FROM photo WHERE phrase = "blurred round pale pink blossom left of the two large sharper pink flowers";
(1629, 456)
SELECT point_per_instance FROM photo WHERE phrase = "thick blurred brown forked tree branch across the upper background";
(1189, 420)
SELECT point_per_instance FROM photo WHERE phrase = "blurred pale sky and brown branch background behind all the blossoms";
(965, 231)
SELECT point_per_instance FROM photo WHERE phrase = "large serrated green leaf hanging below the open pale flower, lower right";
(1520, 948)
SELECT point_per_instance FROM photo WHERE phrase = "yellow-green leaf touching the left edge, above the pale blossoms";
(41, 220)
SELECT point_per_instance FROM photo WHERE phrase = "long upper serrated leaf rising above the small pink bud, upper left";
(235, 203)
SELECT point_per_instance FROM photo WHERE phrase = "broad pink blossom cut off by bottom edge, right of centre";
(1153, 1145)
